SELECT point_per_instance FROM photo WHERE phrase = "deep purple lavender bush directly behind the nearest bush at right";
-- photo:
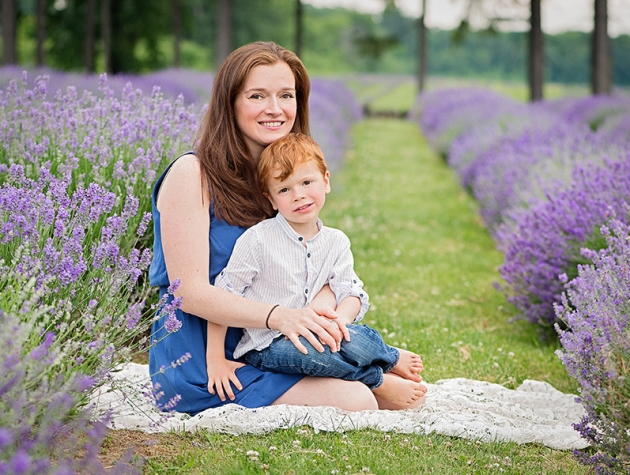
(546, 239)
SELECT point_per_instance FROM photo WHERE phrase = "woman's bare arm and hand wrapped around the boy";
(185, 222)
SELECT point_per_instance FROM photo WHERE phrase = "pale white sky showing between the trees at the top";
(557, 15)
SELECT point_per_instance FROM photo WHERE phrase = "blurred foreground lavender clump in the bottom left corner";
(43, 427)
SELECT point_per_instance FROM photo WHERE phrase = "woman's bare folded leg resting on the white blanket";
(346, 395)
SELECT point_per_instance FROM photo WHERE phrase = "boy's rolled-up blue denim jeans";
(364, 358)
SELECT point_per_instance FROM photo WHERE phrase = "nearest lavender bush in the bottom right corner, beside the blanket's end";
(595, 308)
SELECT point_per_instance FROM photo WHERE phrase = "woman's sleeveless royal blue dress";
(190, 380)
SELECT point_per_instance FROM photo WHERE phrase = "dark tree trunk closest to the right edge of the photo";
(601, 70)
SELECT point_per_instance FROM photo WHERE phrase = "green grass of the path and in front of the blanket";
(429, 266)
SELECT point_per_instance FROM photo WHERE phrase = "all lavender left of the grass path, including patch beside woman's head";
(78, 159)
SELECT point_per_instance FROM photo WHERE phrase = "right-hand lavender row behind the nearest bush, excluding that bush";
(545, 176)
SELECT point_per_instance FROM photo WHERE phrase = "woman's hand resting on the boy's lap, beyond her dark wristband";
(318, 330)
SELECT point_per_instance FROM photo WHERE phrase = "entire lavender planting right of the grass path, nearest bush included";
(552, 180)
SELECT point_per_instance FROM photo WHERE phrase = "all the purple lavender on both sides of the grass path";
(80, 154)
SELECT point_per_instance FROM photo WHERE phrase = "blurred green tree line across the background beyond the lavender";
(138, 36)
